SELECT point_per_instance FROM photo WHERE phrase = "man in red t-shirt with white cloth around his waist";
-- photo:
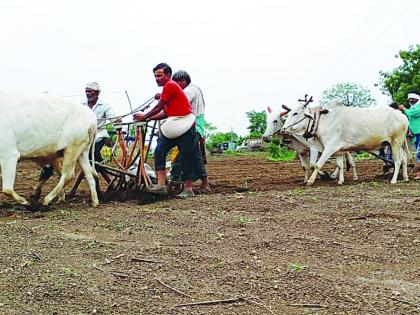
(178, 130)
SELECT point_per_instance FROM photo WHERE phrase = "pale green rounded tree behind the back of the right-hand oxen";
(350, 94)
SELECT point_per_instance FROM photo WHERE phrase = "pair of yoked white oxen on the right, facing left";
(336, 130)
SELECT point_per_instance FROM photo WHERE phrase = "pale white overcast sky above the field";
(244, 54)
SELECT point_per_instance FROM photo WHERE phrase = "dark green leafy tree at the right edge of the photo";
(405, 77)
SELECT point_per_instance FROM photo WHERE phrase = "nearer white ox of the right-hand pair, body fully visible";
(342, 128)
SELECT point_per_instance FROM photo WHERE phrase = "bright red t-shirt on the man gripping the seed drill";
(177, 101)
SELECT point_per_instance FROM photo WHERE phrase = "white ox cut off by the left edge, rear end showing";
(41, 129)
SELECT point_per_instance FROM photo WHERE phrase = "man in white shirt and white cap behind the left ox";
(103, 112)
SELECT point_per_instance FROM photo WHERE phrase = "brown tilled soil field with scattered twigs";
(259, 243)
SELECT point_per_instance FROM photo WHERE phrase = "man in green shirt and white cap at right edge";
(413, 114)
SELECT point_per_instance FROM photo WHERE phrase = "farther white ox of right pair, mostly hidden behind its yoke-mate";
(307, 149)
